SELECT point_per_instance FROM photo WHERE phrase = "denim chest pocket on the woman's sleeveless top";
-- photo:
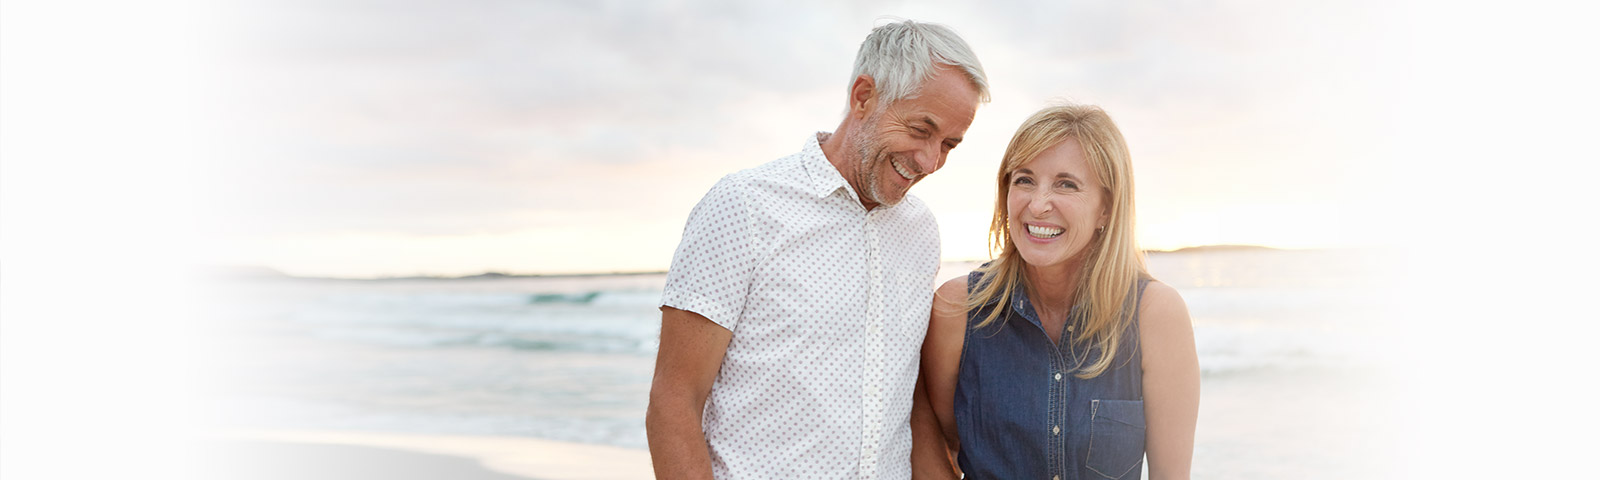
(1116, 438)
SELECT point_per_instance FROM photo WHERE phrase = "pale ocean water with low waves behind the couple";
(1294, 351)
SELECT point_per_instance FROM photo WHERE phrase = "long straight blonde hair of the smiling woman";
(1105, 292)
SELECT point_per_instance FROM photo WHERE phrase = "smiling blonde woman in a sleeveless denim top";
(1060, 359)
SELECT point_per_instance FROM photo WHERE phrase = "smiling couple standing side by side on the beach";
(796, 334)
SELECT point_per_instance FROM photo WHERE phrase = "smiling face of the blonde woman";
(1055, 206)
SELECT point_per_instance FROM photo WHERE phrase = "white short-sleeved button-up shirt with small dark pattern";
(828, 305)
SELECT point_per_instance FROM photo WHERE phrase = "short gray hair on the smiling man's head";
(900, 57)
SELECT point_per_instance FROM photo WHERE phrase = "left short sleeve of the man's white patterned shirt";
(714, 263)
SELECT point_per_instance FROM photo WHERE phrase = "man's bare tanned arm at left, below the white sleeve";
(687, 366)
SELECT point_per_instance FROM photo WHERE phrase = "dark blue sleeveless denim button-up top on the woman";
(1022, 414)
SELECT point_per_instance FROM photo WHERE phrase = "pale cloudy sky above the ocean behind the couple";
(430, 118)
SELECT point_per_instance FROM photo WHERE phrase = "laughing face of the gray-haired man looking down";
(902, 143)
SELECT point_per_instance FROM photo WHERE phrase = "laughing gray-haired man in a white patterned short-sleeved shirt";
(799, 297)
